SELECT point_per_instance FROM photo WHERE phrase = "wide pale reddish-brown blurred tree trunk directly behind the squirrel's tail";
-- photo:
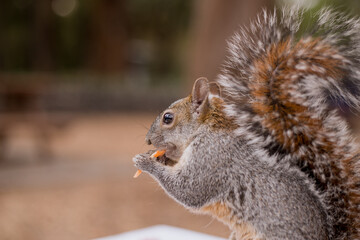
(214, 22)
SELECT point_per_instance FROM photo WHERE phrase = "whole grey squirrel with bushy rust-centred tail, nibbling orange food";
(262, 148)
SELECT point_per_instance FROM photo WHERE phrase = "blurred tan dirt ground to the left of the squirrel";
(84, 189)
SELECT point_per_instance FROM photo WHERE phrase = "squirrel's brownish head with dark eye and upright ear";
(174, 129)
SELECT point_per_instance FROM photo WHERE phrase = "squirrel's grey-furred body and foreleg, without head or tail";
(278, 201)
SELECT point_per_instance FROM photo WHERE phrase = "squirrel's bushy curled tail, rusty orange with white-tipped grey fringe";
(277, 86)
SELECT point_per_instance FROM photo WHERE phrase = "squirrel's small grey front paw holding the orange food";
(145, 163)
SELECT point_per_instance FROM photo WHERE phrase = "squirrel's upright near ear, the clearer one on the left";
(200, 93)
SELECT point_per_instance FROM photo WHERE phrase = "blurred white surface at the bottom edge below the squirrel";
(161, 232)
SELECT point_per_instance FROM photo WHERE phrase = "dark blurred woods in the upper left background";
(100, 35)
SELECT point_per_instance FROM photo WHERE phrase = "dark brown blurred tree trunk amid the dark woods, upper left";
(108, 41)
